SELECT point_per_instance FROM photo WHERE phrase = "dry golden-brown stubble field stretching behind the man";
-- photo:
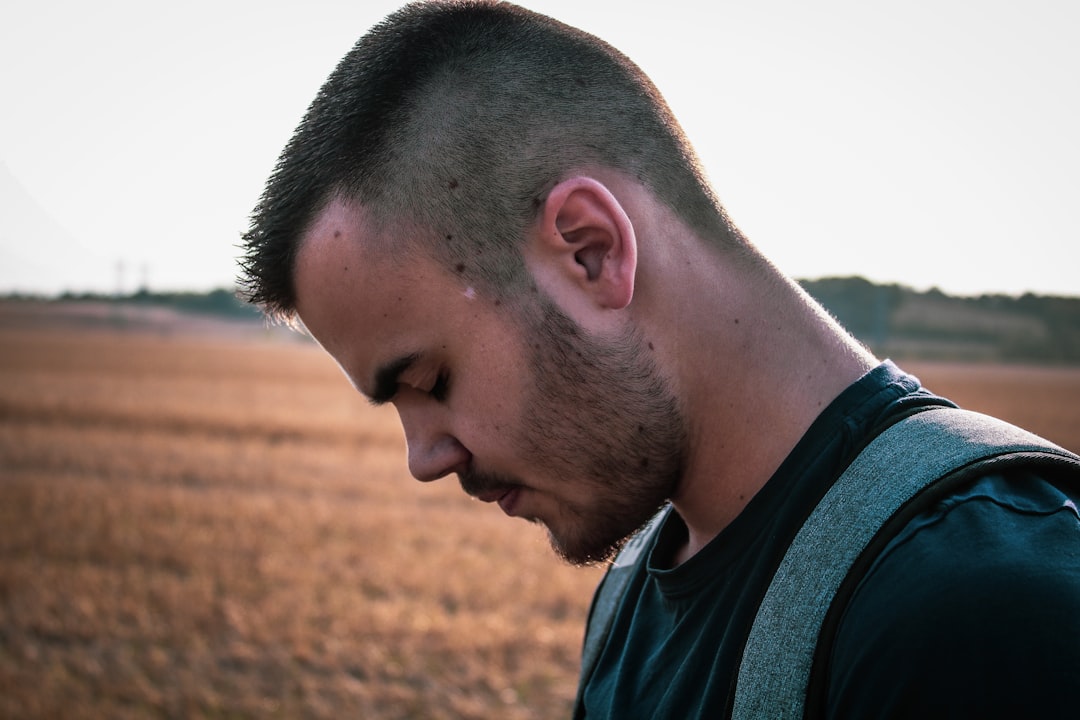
(212, 525)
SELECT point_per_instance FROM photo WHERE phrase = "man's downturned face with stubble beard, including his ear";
(577, 430)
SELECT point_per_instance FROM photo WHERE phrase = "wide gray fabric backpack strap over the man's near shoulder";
(896, 467)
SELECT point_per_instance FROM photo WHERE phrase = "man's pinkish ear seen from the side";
(586, 241)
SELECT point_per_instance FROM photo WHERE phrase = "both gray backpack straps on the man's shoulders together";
(881, 492)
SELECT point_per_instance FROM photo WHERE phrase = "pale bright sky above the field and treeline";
(931, 143)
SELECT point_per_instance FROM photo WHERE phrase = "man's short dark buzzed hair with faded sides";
(460, 118)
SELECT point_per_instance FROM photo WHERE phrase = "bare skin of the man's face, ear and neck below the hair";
(461, 370)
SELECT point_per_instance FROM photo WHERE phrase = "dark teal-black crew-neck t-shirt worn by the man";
(952, 621)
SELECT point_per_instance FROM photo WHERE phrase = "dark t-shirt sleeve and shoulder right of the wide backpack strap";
(973, 612)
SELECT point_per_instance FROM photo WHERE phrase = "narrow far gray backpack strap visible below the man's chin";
(607, 599)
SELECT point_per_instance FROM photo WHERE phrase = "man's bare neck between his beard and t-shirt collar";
(757, 363)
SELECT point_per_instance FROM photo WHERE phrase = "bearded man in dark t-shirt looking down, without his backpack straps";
(493, 222)
